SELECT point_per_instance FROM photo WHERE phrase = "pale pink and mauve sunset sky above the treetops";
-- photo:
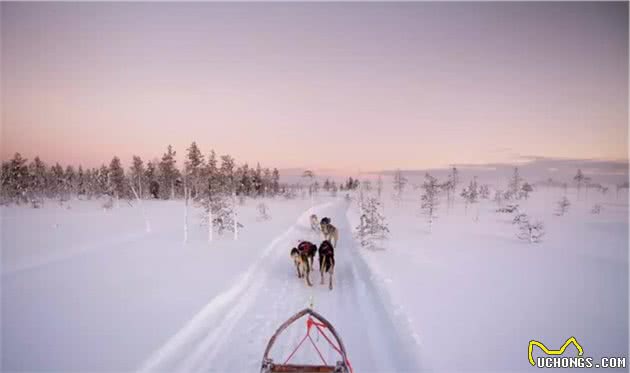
(345, 85)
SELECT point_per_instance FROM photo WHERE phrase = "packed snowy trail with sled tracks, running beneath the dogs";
(231, 332)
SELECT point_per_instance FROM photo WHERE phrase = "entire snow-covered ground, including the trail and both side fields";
(88, 290)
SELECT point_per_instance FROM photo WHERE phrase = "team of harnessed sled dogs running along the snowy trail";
(304, 254)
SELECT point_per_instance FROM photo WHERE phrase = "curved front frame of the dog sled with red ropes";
(320, 324)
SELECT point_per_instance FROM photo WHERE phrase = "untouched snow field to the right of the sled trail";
(475, 295)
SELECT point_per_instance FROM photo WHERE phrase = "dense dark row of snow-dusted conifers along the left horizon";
(25, 181)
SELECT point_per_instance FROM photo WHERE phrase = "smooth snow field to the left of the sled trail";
(88, 290)
